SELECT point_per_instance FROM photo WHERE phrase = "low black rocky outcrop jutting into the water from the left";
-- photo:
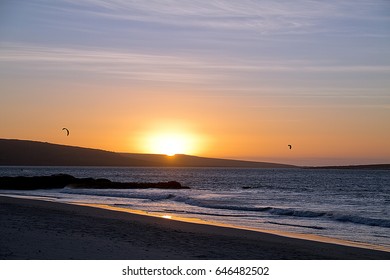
(65, 180)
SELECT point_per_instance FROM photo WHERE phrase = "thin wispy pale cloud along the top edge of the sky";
(262, 16)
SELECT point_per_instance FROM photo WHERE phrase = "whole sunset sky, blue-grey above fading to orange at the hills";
(224, 78)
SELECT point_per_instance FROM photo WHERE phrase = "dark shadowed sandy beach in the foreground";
(42, 230)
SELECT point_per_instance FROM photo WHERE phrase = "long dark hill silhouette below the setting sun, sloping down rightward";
(29, 153)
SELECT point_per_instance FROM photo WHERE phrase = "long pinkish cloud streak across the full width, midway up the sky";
(151, 66)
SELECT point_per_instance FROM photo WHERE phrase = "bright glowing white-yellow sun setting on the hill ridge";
(170, 144)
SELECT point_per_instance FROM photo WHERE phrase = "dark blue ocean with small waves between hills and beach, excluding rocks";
(351, 205)
